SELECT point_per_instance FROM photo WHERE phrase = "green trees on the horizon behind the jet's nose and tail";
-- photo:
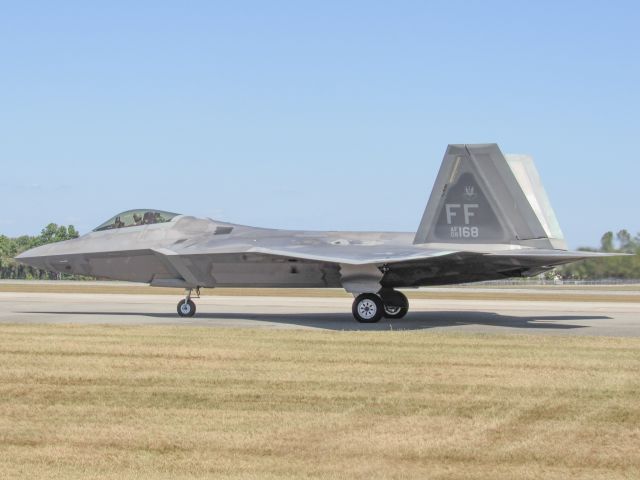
(595, 269)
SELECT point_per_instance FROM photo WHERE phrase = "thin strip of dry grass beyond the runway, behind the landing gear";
(544, 294)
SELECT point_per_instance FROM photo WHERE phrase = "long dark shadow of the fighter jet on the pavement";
(344, 321)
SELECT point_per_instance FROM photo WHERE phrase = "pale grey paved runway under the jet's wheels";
(576, 317)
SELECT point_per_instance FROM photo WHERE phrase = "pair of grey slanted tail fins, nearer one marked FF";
(484, 197)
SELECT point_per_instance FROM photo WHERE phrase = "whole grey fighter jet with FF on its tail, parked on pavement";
(488, 218)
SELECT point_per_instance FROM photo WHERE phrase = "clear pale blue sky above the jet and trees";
(312, 115)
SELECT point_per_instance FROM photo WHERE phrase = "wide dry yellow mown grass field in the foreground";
(185, 402)
